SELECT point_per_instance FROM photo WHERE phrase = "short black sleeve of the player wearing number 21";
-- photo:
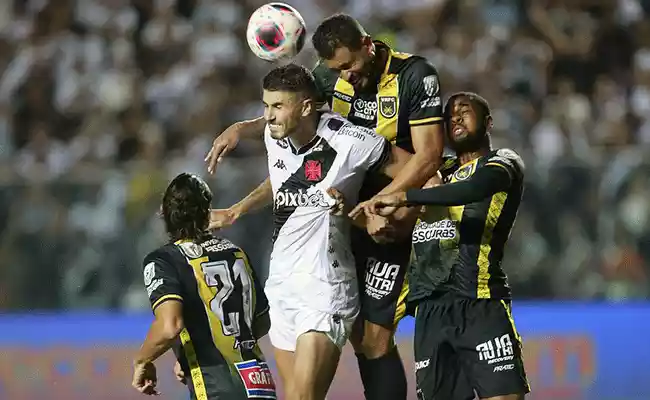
(161, 279)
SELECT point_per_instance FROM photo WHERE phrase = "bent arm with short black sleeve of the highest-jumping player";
(425, 120)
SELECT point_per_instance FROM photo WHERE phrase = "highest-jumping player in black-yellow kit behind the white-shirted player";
(398, 96)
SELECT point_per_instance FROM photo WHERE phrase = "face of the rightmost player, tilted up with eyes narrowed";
(464, 127)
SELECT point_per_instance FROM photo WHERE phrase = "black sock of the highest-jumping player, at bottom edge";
(384, 378)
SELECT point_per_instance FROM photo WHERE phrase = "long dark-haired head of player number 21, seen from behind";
(186, 207)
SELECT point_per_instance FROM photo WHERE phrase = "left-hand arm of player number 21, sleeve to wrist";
(164, 290)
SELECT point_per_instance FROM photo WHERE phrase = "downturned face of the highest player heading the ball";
(355, 66)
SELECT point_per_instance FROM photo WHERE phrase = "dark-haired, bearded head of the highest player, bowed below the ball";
(343, 45)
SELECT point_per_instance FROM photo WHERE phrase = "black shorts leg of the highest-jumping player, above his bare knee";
(381, 270)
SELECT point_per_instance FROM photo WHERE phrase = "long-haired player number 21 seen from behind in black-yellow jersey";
(208, 305)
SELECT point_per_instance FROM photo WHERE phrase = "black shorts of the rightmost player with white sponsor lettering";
(464, 345)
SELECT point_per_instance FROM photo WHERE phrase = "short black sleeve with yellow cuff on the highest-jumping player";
(423, 85)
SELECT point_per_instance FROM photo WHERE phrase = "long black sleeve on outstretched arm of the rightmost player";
(484, 183)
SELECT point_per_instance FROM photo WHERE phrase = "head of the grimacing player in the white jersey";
(289, 96)
